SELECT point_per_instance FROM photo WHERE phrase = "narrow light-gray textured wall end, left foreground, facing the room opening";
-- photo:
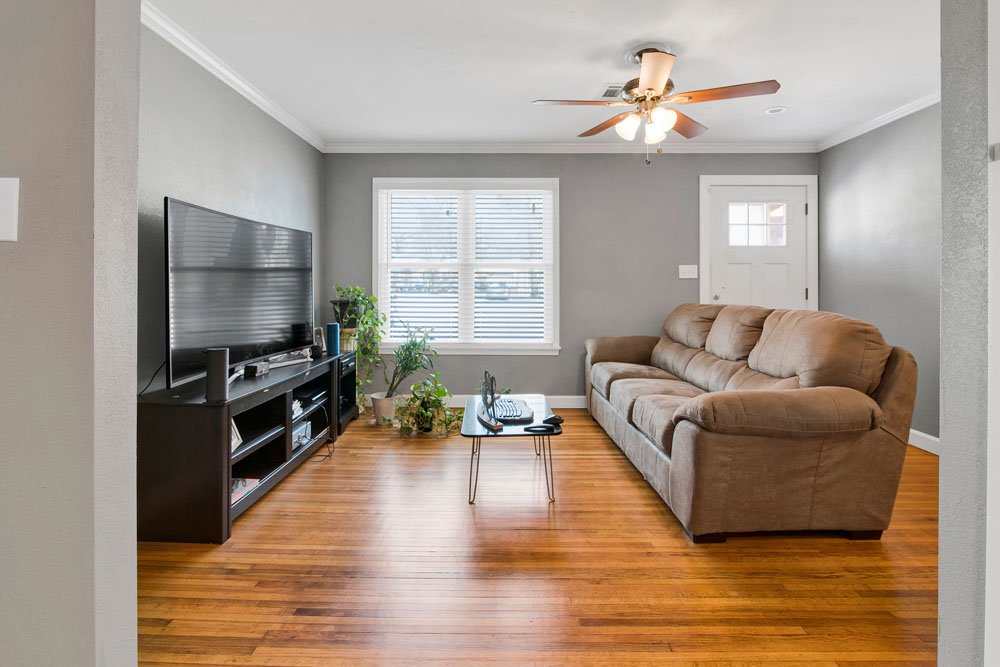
(116, 163)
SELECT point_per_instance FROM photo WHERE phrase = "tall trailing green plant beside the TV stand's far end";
(357, 310)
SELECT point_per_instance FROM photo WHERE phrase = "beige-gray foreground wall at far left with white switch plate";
(46, 335)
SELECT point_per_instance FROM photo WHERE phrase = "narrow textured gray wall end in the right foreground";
(964, 336)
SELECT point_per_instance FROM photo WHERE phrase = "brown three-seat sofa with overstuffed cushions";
(747, 419)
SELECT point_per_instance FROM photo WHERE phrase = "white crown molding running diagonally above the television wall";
(163, 26)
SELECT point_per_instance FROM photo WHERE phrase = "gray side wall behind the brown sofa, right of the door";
(880, 238)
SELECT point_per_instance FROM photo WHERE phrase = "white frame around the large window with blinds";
(380, 185)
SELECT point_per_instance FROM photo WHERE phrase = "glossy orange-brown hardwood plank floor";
(375, 556)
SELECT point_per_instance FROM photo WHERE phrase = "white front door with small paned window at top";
(758, 246)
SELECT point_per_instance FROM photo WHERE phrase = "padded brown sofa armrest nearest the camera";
(789, 413)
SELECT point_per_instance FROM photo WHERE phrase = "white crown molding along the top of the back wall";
(574, 148)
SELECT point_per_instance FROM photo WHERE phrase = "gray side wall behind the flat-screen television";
(202, 142)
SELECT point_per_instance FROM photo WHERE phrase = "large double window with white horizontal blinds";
(472, 261)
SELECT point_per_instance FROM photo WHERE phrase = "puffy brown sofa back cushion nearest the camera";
(822, 349)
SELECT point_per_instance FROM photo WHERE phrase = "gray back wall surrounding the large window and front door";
(623, 229)
